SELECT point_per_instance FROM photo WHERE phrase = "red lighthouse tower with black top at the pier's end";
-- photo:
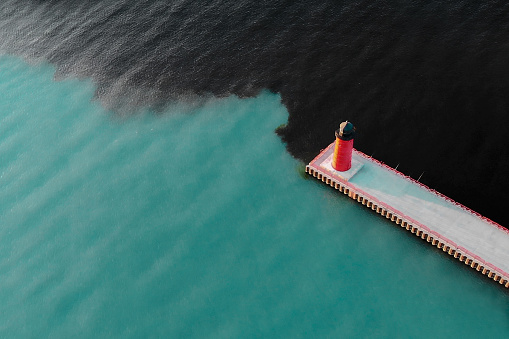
(342, 159)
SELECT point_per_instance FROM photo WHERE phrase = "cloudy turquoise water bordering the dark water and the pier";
(197, 223)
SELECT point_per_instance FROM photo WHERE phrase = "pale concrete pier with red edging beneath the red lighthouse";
(460, 232)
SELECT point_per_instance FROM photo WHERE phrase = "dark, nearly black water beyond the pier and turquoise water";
(425, 82)
